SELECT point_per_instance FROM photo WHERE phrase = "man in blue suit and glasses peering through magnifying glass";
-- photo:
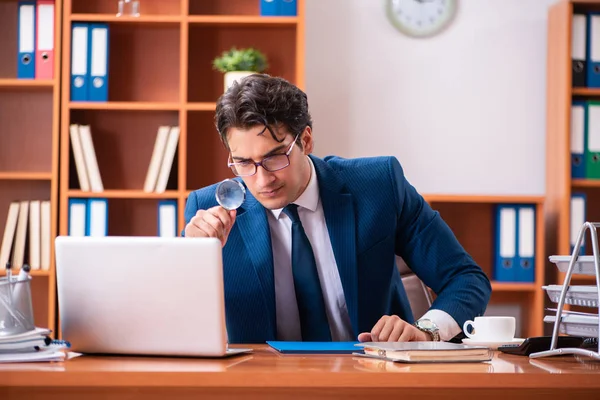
(310, 255)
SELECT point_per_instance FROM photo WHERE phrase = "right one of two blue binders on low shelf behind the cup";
(526, 238)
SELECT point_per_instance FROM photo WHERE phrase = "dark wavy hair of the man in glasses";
(260, 99)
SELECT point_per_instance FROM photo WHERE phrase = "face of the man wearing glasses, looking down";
(272, 189)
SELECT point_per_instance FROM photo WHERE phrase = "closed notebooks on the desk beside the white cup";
(425, 352)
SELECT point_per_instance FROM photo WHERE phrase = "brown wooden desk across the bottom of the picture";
(266, 374)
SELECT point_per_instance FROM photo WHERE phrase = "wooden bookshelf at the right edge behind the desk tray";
(560, 95)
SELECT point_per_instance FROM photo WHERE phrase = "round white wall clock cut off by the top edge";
(421, 18)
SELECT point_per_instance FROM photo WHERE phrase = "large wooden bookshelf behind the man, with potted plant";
(160, 73)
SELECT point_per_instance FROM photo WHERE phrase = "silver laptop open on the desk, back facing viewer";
(142, 296)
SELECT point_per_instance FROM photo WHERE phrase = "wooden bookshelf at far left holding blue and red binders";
(29, 138)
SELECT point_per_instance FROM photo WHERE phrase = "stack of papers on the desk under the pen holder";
(31, 346)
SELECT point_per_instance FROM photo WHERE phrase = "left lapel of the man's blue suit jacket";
(255, 231)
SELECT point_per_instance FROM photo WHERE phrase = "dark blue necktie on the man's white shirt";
(309, 296)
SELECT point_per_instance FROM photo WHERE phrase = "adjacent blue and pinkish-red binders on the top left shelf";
(35, 39)
